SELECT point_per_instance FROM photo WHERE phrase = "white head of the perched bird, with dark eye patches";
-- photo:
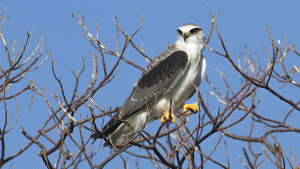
(190, 33)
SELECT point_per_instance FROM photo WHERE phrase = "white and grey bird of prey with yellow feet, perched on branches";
(171, 75)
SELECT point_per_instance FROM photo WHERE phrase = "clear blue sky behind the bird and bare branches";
(240, 22)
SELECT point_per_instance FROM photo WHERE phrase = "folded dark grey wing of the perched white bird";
(163, 71)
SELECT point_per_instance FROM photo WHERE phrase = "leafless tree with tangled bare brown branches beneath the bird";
(64, 134)
